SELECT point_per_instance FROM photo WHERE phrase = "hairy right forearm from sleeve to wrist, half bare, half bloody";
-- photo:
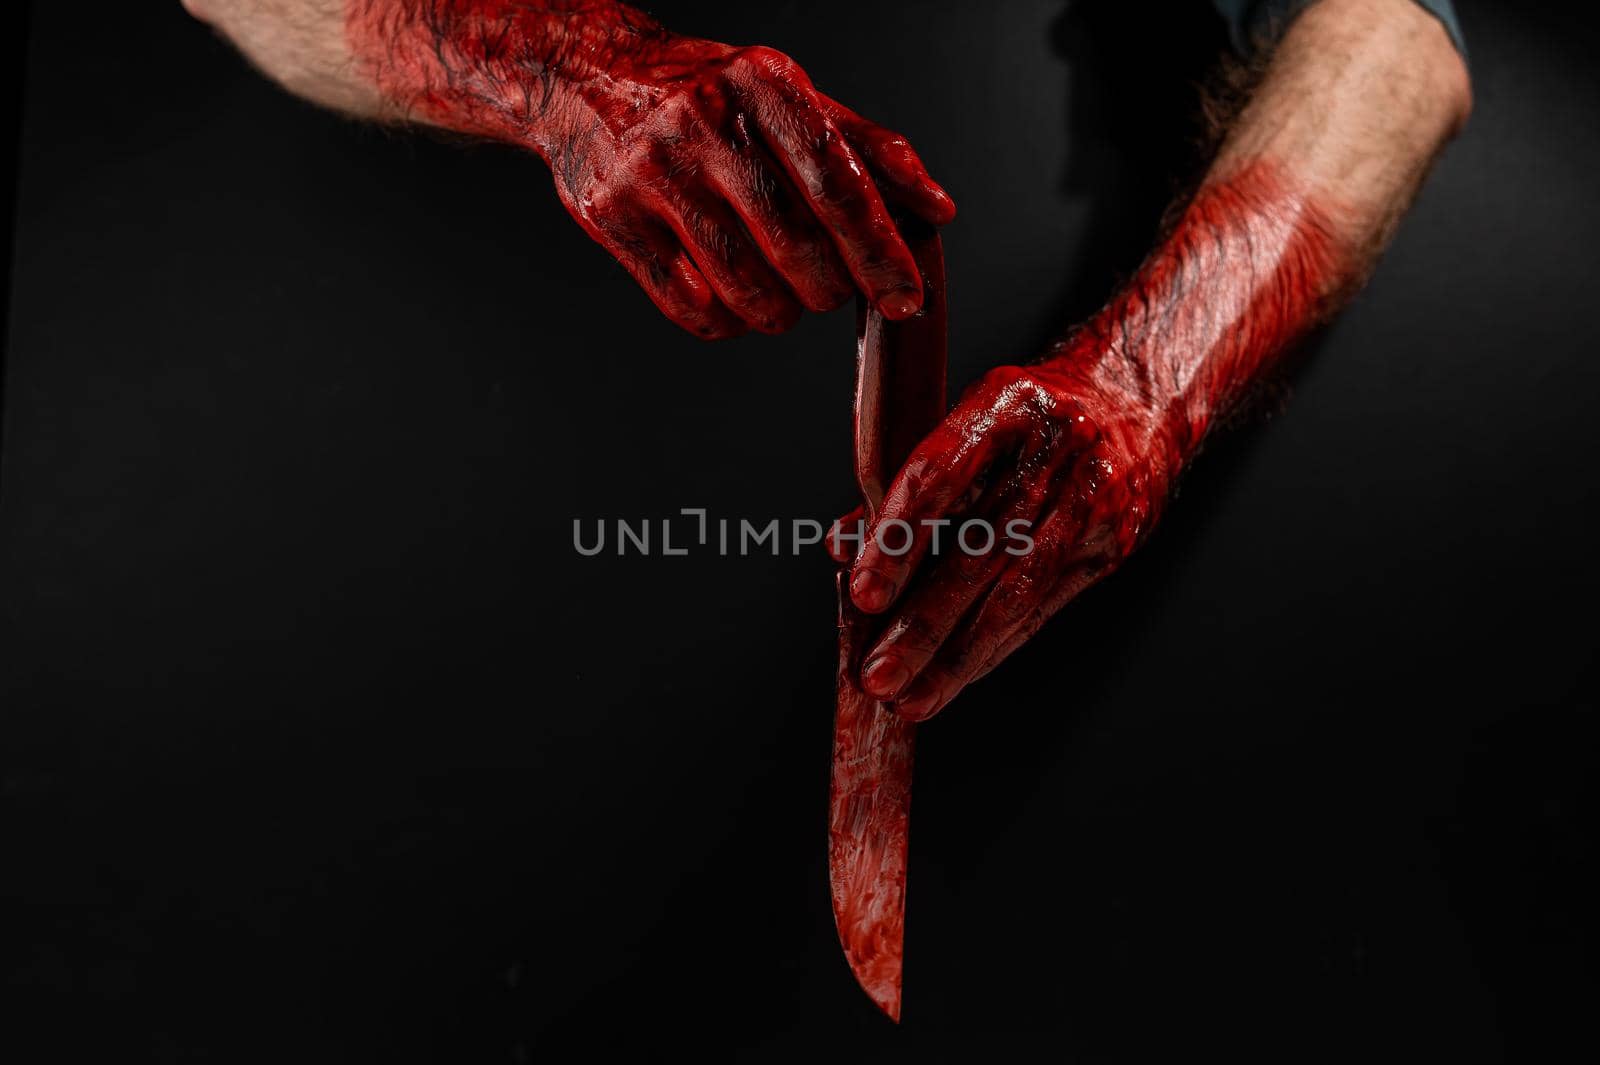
(1303, 196)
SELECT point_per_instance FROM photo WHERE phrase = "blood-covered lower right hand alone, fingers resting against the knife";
(1076, 468)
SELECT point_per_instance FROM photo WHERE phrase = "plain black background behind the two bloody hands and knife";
(324, 746)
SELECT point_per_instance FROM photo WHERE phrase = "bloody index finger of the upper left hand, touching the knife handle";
(833, 178)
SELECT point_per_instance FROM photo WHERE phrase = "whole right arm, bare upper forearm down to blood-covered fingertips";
(1086, 445)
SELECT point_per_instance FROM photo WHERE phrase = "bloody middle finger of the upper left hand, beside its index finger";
(780, 223)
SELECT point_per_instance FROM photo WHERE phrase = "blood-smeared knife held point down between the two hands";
(900, 399)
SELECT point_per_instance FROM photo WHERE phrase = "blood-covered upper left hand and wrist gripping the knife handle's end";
(729, 186)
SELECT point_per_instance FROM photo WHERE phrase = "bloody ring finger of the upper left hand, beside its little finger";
(721, 247)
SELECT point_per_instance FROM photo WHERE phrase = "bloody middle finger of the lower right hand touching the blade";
(937, 604)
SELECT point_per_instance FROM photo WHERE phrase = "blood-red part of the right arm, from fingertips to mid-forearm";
(1084, 447)
